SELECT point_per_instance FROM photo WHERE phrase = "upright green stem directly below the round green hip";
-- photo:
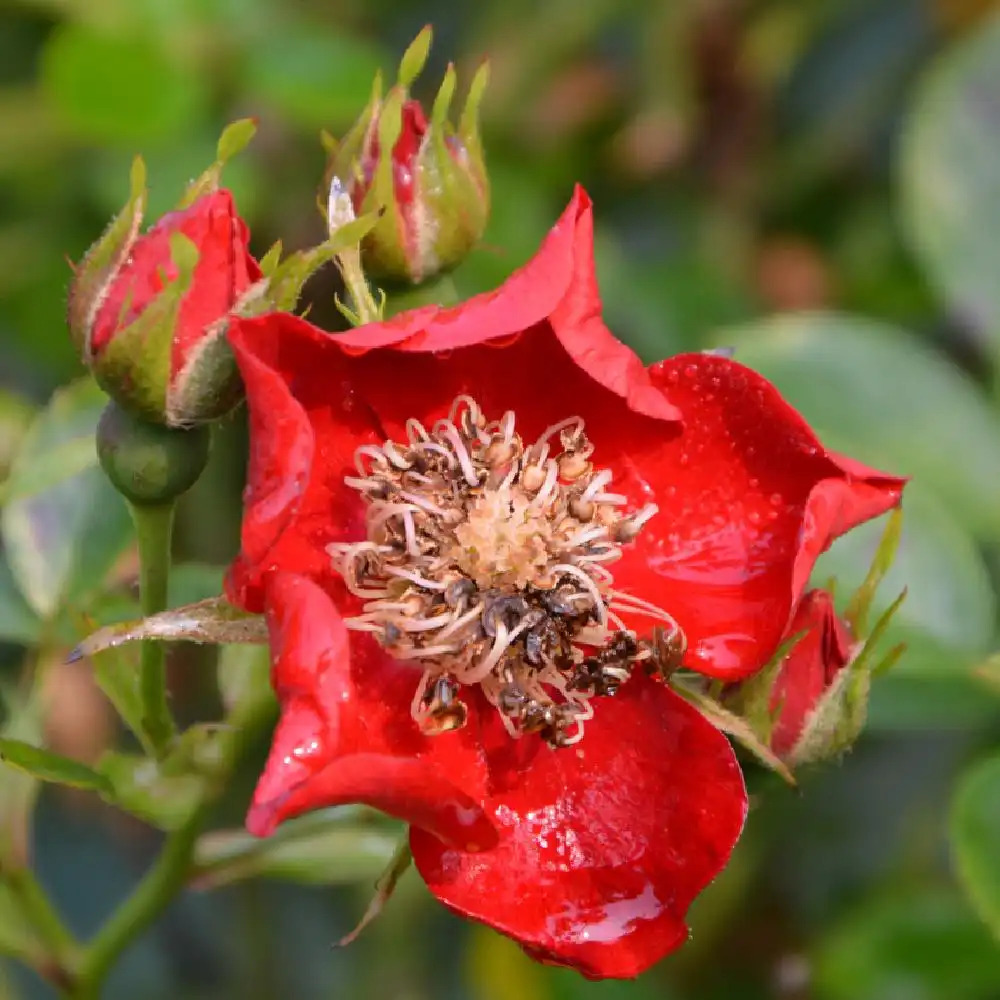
(154, 530)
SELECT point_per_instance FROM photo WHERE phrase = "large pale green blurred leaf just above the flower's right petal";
(878, 394)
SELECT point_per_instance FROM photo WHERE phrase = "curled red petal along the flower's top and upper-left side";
(536, 345)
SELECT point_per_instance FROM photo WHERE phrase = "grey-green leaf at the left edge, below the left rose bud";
(63, 526)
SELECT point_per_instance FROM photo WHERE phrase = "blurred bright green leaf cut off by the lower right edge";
(975, 838)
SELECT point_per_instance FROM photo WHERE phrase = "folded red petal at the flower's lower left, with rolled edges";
(346, 734)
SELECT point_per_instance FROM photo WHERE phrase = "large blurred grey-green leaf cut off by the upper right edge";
(950, 173)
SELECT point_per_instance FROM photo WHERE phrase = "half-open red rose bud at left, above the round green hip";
(148, 312)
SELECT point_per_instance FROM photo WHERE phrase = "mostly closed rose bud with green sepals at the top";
(426, 176)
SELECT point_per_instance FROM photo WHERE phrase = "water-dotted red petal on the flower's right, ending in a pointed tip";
(748, 498)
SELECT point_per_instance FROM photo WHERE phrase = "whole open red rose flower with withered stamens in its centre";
(482, 537)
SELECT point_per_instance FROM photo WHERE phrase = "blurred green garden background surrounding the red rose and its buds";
(815, 182)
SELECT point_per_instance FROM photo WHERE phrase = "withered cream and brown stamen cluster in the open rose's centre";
(487, 561)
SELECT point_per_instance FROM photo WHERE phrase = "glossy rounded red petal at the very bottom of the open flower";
(604, 845)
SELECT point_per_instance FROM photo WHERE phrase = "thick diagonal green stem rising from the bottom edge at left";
(149, 899)
